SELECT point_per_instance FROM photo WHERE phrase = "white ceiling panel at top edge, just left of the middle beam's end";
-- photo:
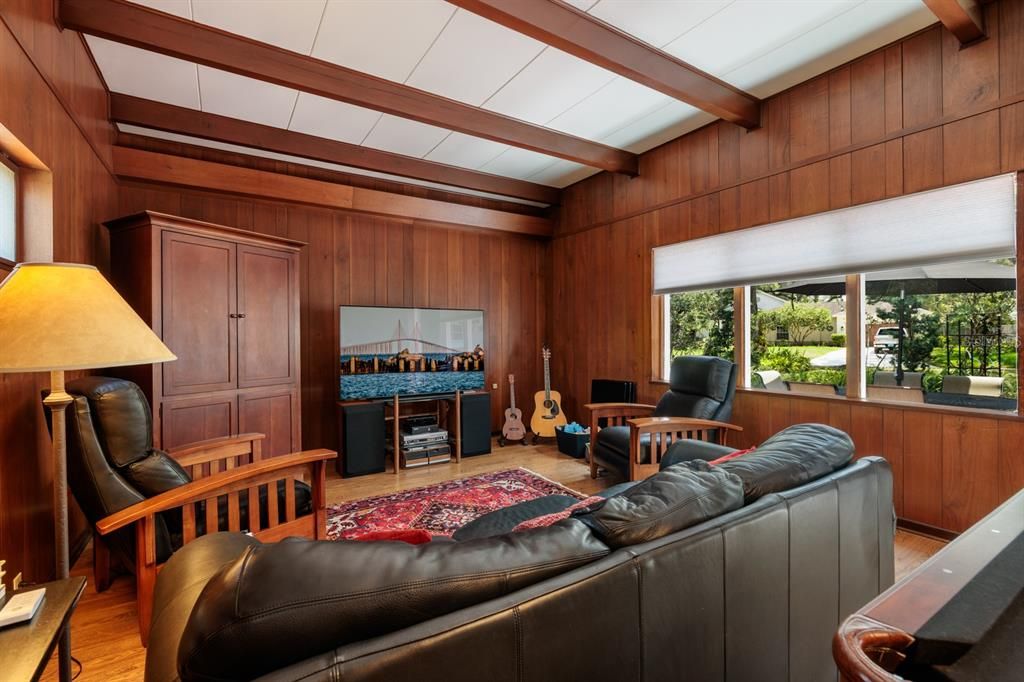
(386, 39)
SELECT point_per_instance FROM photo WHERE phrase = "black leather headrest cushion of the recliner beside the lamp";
(122, 415)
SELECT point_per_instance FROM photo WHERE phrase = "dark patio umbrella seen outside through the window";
(969, 278)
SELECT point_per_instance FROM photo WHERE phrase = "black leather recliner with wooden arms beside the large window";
(696, 407)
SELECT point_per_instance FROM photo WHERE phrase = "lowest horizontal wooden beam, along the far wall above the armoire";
(206, 176)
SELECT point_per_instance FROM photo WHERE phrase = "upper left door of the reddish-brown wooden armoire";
(198, 317)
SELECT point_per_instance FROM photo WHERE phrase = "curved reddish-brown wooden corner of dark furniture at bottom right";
(867, 651)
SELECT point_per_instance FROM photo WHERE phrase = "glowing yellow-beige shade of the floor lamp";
(68, 317)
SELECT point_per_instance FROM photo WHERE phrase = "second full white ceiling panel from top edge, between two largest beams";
(548, 87)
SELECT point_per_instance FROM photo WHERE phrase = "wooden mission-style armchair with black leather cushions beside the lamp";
(144, 503)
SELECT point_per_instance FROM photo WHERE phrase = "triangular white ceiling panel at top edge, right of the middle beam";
(657, 22)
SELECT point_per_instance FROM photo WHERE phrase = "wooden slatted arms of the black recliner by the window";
(661, 433)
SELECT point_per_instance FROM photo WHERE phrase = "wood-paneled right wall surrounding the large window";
(918, 114)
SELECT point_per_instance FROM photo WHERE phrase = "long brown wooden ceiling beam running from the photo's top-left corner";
(158, 32)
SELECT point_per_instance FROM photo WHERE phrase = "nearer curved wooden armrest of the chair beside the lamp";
(205, 487)
